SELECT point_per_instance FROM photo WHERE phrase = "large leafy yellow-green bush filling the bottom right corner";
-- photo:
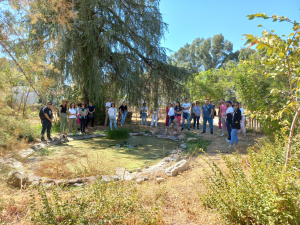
(257, 189)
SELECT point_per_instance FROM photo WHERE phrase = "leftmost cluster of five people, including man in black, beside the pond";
(72, 115)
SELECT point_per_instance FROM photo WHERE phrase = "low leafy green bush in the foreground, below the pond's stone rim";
(100, 203)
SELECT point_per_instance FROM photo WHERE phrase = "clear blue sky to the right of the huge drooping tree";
(190, 19)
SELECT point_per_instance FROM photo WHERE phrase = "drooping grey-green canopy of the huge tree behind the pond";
(112, 47)
